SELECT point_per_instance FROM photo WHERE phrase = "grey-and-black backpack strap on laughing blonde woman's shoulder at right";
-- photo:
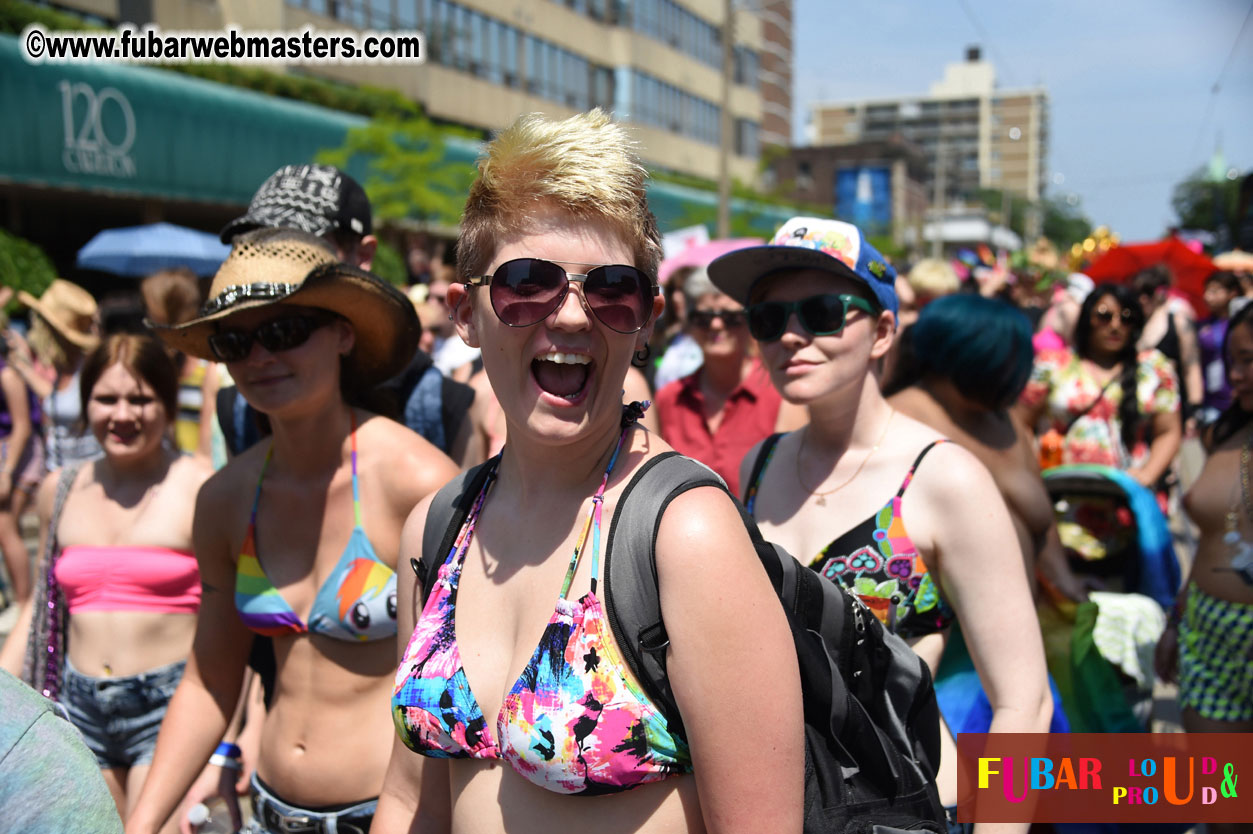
(632, 597)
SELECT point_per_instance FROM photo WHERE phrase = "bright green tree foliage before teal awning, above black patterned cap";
(409, 177)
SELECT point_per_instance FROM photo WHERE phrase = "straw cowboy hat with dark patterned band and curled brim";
(288, 267)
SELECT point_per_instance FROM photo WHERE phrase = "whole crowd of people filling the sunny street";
(247, 582)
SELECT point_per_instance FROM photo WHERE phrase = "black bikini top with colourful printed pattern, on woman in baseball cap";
(878, 562)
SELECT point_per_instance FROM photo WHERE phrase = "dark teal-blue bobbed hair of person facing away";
(982, 345)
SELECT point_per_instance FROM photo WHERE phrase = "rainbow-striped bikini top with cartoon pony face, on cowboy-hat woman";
(358, 600)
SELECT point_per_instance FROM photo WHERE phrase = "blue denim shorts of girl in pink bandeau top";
(120, 717)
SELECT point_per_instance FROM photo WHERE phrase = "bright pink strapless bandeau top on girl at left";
(127, 578)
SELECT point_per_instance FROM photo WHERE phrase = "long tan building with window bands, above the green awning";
(657, 64)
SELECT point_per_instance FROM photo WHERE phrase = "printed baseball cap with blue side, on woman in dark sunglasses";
(809, 244)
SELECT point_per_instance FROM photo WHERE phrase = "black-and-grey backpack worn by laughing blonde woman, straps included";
(871, 722)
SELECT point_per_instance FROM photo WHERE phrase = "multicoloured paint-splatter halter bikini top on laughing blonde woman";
(573, 723)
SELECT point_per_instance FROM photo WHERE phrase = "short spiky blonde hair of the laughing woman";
(585, 167)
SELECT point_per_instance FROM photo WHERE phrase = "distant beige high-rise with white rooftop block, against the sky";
(974, 135)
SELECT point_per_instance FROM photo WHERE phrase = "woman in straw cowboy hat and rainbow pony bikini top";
(305, 529)
